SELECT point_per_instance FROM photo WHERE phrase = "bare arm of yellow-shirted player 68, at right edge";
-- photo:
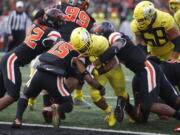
(174, 35)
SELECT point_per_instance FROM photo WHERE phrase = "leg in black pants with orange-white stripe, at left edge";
(11, 79)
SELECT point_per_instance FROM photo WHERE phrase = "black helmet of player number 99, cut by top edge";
(82, 4)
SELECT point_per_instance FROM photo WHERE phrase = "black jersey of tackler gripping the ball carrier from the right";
(129, 54)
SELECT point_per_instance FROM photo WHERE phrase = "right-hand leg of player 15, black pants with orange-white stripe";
(60, 89)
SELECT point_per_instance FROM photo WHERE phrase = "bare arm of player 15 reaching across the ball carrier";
(86, 75)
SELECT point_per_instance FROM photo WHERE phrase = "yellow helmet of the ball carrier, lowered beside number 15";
(80, 39)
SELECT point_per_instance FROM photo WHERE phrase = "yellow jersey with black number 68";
(155, 37)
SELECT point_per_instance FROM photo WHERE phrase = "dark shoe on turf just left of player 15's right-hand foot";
(47, 114)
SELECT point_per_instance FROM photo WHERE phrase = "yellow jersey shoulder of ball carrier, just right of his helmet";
(98, 45)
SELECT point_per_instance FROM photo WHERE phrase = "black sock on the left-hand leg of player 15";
(21, 107)
